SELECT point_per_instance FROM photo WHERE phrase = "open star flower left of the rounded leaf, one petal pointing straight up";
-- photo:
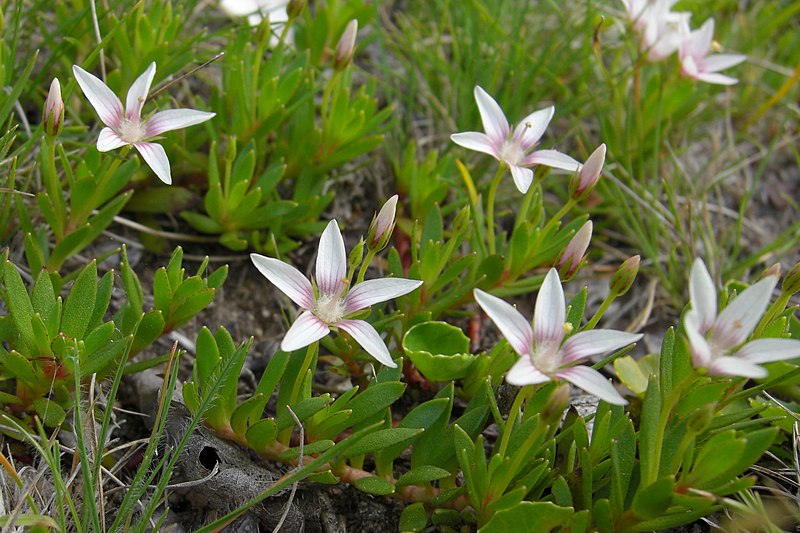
(332, 302)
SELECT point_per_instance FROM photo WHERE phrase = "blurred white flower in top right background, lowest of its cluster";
(698, 64)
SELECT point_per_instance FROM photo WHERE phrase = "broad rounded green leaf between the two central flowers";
(440, 351)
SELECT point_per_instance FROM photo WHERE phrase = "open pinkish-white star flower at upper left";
(126, 126)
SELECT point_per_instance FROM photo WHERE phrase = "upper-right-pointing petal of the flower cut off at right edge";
(740, 317)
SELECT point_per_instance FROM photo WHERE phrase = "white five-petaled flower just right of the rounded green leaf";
(545, 355)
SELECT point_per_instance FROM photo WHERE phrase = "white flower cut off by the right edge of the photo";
(717, 341)
